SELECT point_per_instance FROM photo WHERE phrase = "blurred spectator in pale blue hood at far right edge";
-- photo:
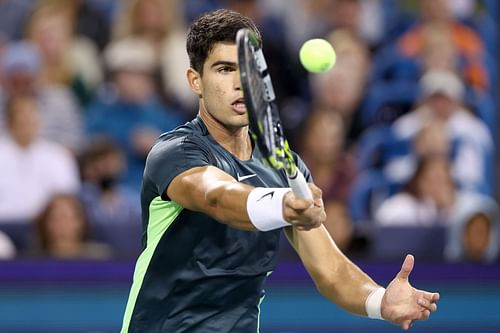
(474, 235)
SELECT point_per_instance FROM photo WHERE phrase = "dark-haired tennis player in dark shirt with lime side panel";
(213, 214)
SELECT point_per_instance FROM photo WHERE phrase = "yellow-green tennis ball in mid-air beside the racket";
(317, 55)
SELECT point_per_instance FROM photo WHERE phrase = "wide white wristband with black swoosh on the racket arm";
(265, 208)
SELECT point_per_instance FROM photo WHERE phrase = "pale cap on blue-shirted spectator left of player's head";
(130, 54)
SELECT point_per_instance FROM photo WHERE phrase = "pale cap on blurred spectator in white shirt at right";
(442, 82)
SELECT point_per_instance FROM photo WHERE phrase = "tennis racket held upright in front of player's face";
(264, 121)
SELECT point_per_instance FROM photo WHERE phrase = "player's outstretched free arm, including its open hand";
(342, 282)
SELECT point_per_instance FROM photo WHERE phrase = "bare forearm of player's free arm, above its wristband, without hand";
(335, 276)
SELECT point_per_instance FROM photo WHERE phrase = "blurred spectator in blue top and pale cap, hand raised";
(130, 113)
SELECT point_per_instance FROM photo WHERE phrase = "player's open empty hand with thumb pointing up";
(402, 304)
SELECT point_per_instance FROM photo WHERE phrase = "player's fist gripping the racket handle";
(303, 213)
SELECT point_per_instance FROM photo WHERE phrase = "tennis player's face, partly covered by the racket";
(220, 88)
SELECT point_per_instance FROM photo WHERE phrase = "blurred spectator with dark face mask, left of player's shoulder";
(105, 201)
